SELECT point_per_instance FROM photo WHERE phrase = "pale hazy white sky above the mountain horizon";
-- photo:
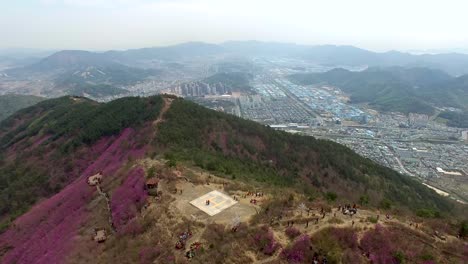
(121, 24)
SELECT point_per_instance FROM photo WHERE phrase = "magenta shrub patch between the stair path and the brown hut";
(127, 200)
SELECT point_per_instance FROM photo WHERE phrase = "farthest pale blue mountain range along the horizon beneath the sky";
(452, 63)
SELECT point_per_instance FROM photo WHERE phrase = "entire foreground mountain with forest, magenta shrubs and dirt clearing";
(49, 212)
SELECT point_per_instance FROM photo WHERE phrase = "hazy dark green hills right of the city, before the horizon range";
(413, 90)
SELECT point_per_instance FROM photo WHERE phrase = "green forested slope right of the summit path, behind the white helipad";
(244, 149)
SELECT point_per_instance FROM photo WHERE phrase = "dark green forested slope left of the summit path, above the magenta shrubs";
(45, 147)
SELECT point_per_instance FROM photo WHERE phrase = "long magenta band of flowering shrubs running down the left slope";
(45, 233)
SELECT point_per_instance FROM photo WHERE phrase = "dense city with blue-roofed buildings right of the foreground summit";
(417, 145)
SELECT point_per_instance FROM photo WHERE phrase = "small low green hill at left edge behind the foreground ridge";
(11, 103)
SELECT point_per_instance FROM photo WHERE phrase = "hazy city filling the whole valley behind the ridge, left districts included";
(260, 89)
